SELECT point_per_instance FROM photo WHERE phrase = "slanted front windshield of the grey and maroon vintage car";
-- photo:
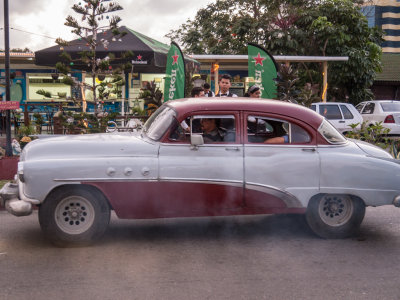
(159, 122)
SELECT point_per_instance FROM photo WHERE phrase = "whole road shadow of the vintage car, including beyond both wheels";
(230, 229)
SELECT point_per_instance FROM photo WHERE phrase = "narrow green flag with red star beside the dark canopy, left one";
(175, 74)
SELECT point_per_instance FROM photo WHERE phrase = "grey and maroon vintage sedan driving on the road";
(234, 157)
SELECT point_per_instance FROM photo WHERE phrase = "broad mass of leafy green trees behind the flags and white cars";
(293, 27)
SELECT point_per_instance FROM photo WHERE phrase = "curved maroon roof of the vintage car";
(182, 106)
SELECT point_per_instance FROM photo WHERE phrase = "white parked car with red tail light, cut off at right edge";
(385, 111)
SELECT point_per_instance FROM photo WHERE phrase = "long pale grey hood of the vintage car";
(89, 145)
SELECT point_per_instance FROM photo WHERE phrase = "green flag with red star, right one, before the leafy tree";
(263, 68)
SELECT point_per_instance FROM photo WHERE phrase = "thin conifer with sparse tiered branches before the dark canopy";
(93, 13)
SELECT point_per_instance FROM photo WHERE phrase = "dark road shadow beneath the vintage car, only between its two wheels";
(284, 226)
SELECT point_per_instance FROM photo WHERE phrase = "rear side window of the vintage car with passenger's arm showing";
(274, 131)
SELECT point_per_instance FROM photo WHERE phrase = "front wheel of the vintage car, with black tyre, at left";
(74, 216)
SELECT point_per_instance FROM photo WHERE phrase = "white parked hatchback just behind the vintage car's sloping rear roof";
(341, 115)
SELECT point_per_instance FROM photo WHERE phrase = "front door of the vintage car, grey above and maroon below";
(207, 179)
